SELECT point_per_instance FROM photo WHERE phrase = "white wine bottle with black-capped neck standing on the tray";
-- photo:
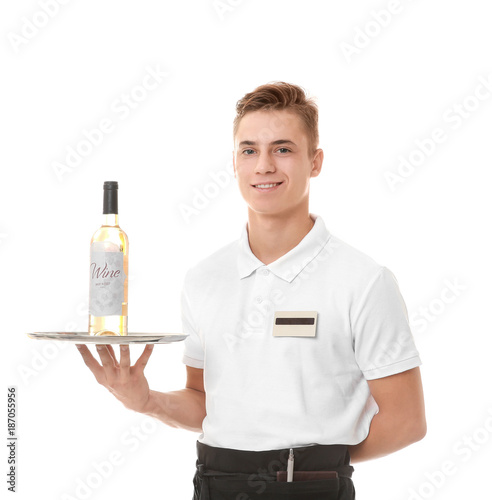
(108, 290)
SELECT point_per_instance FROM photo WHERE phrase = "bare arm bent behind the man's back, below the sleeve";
(401, 418)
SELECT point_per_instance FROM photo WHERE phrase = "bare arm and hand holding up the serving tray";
(184, 408)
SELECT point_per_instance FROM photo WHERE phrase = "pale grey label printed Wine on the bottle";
(107, 281)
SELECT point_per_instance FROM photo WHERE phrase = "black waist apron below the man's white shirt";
(226, 474)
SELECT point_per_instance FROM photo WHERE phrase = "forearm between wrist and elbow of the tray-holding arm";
(184, 409)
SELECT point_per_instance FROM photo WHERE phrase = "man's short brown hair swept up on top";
(278, 96)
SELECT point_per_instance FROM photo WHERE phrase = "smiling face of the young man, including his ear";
(271, 147)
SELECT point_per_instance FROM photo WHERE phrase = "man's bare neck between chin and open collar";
(271, 236)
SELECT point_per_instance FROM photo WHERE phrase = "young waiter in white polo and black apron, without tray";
(296, 340)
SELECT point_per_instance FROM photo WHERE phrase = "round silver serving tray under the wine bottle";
(131, 338)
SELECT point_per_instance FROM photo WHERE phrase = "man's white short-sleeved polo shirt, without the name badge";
(265, 392)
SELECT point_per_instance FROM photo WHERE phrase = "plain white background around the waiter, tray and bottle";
(62, 75)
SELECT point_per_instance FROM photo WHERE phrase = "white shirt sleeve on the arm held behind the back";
(383, 341)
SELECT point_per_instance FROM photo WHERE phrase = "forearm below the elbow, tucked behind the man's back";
(387, 435)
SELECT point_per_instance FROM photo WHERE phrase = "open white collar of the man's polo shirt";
(293, 262)
